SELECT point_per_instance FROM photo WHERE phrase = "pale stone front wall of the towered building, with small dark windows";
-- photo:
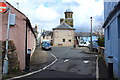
(59, 35)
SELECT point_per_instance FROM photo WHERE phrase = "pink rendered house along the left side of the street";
(21, 33)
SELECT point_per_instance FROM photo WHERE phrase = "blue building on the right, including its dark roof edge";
(112, 34)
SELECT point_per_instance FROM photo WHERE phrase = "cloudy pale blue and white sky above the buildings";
(47, 13)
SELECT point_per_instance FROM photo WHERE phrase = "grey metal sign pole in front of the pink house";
(6, 62)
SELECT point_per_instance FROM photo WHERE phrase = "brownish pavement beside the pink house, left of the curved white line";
(40, 59)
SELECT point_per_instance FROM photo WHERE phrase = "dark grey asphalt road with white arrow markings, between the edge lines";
(70, 63)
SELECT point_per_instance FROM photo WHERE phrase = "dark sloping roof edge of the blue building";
(111, 14)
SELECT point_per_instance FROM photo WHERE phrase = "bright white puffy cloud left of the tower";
(44, 14)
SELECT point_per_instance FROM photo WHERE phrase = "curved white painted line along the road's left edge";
(35, 71)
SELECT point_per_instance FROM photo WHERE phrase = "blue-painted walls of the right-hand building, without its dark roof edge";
(112, 44)
